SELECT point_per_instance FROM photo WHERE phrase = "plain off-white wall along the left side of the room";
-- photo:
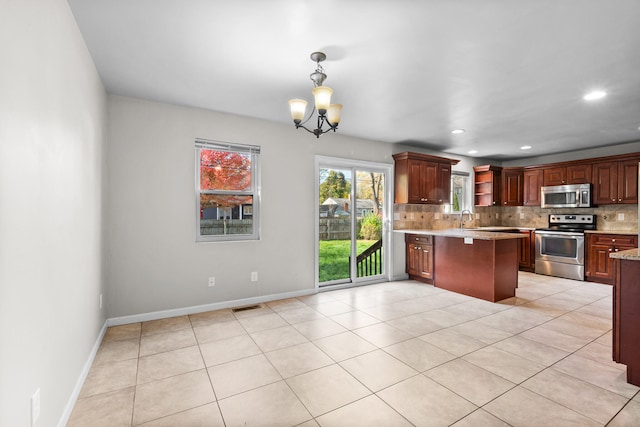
(52, 138)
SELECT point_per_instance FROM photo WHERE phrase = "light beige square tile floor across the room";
(392, 354)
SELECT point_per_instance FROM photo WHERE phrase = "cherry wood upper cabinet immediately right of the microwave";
(615, 182)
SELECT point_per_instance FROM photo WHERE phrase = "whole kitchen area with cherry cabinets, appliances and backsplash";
(577, 220)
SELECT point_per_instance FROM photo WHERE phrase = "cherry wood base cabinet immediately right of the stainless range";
(599, 267)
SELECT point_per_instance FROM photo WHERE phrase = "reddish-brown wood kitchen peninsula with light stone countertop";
(476, 263)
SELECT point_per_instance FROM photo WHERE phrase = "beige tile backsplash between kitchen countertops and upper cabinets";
(436, 217)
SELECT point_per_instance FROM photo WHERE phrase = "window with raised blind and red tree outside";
(227, 191)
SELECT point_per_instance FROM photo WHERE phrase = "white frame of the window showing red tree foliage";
(254, 191)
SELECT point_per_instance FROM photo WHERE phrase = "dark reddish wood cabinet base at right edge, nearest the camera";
(626, 317)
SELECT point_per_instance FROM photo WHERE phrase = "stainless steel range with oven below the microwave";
(560, 247)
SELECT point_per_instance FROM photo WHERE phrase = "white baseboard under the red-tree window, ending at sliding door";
(145, 317)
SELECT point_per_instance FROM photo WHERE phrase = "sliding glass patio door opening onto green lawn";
(352, 221)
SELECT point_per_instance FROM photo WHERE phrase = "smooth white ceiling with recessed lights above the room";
(509, 72)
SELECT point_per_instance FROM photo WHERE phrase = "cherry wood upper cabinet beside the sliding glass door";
(422, 179)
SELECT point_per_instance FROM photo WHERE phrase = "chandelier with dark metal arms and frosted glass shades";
(328, 113)
